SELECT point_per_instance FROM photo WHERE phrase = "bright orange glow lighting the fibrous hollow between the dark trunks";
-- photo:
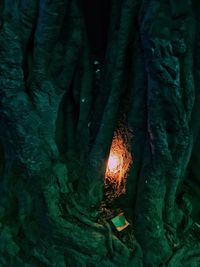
(117, 167)
